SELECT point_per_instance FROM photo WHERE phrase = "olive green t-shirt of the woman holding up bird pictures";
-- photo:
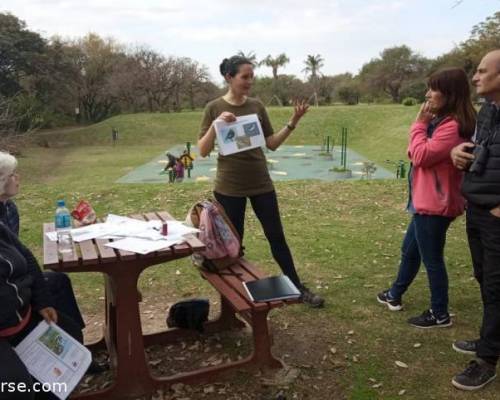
(245, 173)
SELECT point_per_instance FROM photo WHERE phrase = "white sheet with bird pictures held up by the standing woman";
(243, 134)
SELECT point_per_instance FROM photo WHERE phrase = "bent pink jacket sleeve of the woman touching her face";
(426, 152)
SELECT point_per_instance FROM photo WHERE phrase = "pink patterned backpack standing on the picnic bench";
(216, 232)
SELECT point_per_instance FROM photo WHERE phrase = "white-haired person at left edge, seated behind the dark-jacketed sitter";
(58, 283)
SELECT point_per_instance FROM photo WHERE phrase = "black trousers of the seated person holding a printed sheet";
(12, 369)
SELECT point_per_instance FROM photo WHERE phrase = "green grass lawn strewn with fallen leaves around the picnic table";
(345, 237)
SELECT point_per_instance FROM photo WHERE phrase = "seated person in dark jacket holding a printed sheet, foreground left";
(24, 302)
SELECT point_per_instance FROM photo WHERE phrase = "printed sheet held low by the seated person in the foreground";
(54, 357)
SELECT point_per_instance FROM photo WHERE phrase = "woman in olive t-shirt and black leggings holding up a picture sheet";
(245, 175)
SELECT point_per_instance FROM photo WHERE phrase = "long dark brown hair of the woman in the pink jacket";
(454, 85)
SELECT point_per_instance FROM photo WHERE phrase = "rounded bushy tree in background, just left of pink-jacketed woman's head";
(396, 67)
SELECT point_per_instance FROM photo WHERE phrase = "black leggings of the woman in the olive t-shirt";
(266, 209)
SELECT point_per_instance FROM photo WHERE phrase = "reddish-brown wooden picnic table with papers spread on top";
(123, 335)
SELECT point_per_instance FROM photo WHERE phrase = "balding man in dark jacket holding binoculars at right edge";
(481, 188)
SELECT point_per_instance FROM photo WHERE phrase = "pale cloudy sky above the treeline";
(346, 33)
